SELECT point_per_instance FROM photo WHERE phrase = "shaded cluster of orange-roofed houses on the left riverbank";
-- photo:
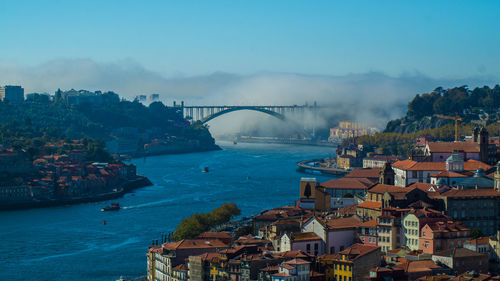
(58, 176)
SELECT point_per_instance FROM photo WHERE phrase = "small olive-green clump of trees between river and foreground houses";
(198, 223)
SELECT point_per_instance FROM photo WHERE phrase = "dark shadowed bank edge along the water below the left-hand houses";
(128, 186)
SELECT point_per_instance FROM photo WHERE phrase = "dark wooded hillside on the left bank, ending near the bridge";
(31, 124)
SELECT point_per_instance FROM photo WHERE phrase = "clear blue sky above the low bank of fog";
(439, 39)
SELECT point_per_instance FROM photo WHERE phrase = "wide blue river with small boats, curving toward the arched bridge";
(72, 243)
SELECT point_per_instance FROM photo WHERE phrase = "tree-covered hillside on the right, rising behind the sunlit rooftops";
(477, 107)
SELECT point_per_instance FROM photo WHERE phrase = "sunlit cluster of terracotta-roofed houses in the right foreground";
(433, 218)
